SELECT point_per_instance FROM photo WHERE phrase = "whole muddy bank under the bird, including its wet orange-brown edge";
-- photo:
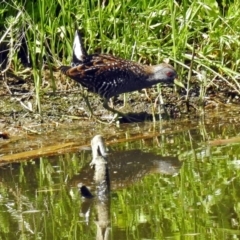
(22, 128)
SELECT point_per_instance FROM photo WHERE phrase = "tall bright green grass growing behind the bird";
(198, 37)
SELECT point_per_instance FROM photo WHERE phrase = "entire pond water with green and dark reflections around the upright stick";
(174, 181)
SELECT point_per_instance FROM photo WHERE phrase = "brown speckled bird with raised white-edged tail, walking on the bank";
(109, 76)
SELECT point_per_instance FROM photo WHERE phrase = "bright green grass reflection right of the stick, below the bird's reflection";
(201, 200)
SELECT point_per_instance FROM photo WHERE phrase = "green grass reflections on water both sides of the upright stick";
(202, 199)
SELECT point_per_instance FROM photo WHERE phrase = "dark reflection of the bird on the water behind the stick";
(128, 167)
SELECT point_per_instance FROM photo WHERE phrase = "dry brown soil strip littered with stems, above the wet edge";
(19, 110)
